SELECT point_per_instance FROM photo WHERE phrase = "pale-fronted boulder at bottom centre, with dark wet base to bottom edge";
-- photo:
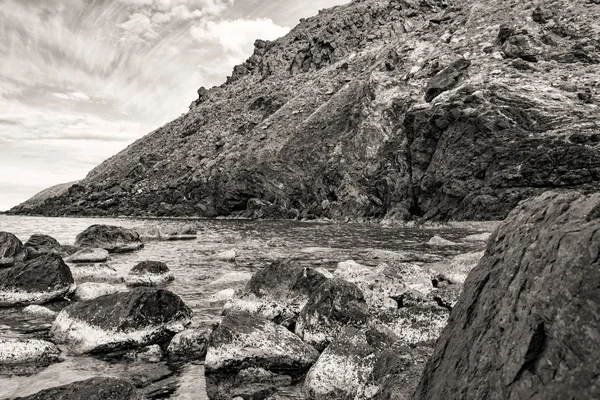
(251, 357)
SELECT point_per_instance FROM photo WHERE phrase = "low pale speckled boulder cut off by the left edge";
(15, 352)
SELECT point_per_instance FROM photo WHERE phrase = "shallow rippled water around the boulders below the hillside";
(196, 270)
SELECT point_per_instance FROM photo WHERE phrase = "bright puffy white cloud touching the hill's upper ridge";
(237, 37)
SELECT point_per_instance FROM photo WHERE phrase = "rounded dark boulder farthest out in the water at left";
(115, 239)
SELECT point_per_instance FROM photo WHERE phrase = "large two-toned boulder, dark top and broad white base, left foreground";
(121, 321)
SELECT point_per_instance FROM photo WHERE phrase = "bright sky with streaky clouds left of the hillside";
(82, 79)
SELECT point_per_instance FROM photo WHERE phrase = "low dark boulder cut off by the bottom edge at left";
(91, 389)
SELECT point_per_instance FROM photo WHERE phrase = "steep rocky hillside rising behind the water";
(379, 109)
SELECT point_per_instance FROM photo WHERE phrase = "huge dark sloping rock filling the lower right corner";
(526, 324)
